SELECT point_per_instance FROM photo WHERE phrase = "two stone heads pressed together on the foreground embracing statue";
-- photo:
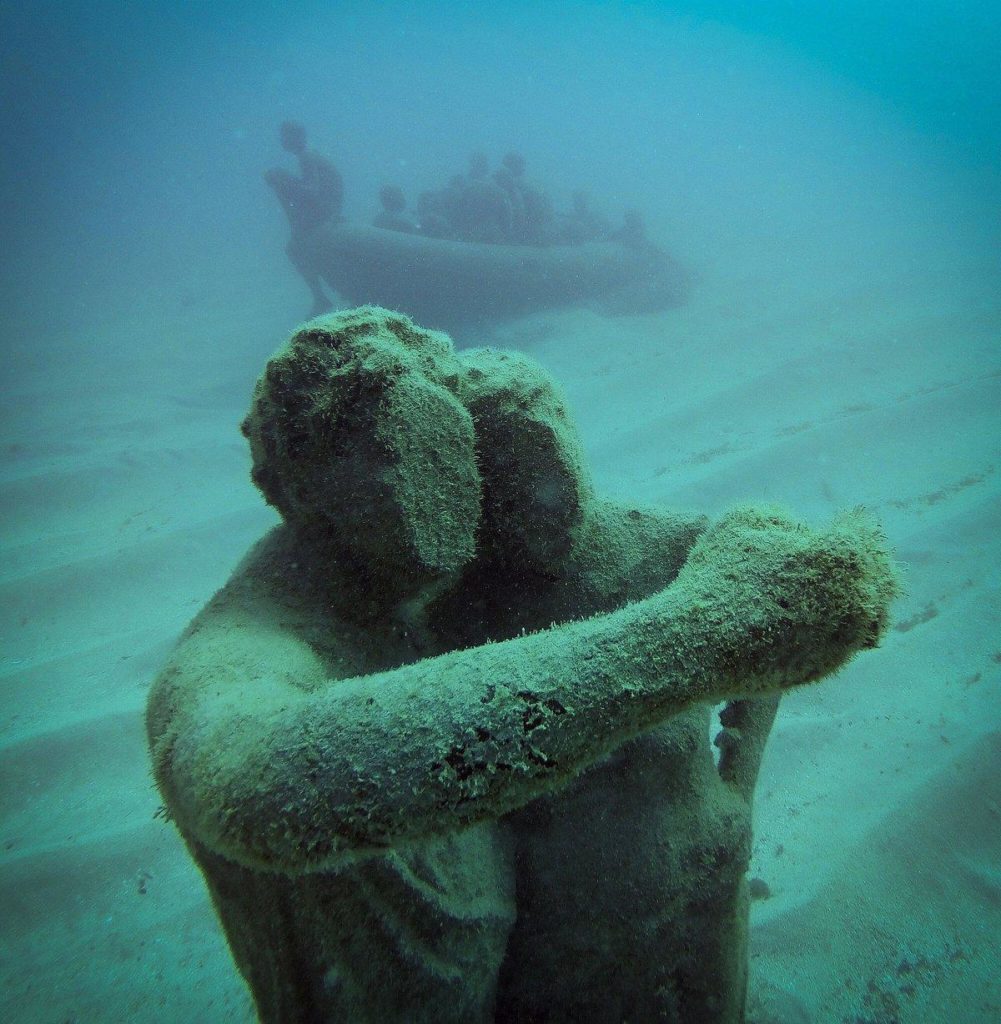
(410, 459)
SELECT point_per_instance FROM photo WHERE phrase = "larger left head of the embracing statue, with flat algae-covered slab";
(357, 435)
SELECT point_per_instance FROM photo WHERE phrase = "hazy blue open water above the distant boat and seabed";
(137, 134)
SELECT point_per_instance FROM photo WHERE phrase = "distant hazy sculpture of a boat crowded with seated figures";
(483, 249)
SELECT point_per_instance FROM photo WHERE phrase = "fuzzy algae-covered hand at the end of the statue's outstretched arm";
(772, 604)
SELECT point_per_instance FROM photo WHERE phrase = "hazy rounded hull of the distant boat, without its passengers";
(458, 285)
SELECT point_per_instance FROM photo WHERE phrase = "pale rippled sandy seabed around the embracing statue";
(126, 502)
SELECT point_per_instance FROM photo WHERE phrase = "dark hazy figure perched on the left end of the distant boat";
(313, 199)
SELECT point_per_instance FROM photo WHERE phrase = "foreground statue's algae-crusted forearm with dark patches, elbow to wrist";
(374, 761)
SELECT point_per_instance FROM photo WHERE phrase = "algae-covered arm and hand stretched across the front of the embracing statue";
(281, 779)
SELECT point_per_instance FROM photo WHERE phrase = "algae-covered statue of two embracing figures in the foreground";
(441, 747)
